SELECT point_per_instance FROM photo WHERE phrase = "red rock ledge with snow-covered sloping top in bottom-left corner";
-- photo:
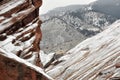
(14, 64)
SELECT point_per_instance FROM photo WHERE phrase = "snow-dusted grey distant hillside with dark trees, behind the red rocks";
(65, 27)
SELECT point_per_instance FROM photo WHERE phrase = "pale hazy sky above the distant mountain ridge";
(51, 4)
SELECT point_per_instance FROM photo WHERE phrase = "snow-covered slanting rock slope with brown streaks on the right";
(96, 58)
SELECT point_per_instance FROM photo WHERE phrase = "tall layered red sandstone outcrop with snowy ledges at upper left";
(20, 27)
